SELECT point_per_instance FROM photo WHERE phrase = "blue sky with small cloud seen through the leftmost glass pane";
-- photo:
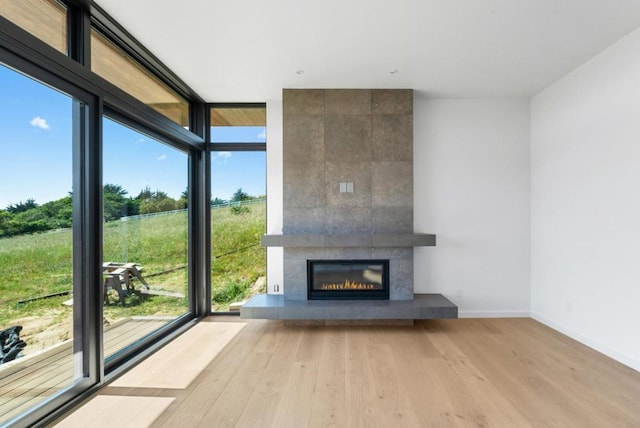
(35, 141)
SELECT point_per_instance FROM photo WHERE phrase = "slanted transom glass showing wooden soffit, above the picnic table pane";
(113, 64)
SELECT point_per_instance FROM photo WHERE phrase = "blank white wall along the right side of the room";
(586, 203)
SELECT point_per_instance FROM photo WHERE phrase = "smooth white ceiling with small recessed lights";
(248, 50)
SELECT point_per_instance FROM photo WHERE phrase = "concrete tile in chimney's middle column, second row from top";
(347, 138)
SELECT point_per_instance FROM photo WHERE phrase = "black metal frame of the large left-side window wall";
(71, 74)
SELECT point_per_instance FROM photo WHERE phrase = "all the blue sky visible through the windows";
(35, 148)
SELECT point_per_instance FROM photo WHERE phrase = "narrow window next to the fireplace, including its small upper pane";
(238, 203)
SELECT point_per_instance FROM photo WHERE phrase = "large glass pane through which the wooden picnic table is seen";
(145, 235)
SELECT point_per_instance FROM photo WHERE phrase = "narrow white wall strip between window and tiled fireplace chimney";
(274, 194)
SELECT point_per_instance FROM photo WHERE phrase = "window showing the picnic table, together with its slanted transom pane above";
(145, 197)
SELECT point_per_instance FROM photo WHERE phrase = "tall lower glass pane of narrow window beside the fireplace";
(238, 220)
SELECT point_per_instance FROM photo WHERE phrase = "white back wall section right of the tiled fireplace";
(471, 188)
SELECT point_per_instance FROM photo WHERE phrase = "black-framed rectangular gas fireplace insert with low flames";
(348, 279)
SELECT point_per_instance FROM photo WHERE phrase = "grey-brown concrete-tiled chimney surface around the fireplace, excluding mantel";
(334, 136)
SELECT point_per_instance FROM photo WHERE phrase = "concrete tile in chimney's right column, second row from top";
(392, 137)
